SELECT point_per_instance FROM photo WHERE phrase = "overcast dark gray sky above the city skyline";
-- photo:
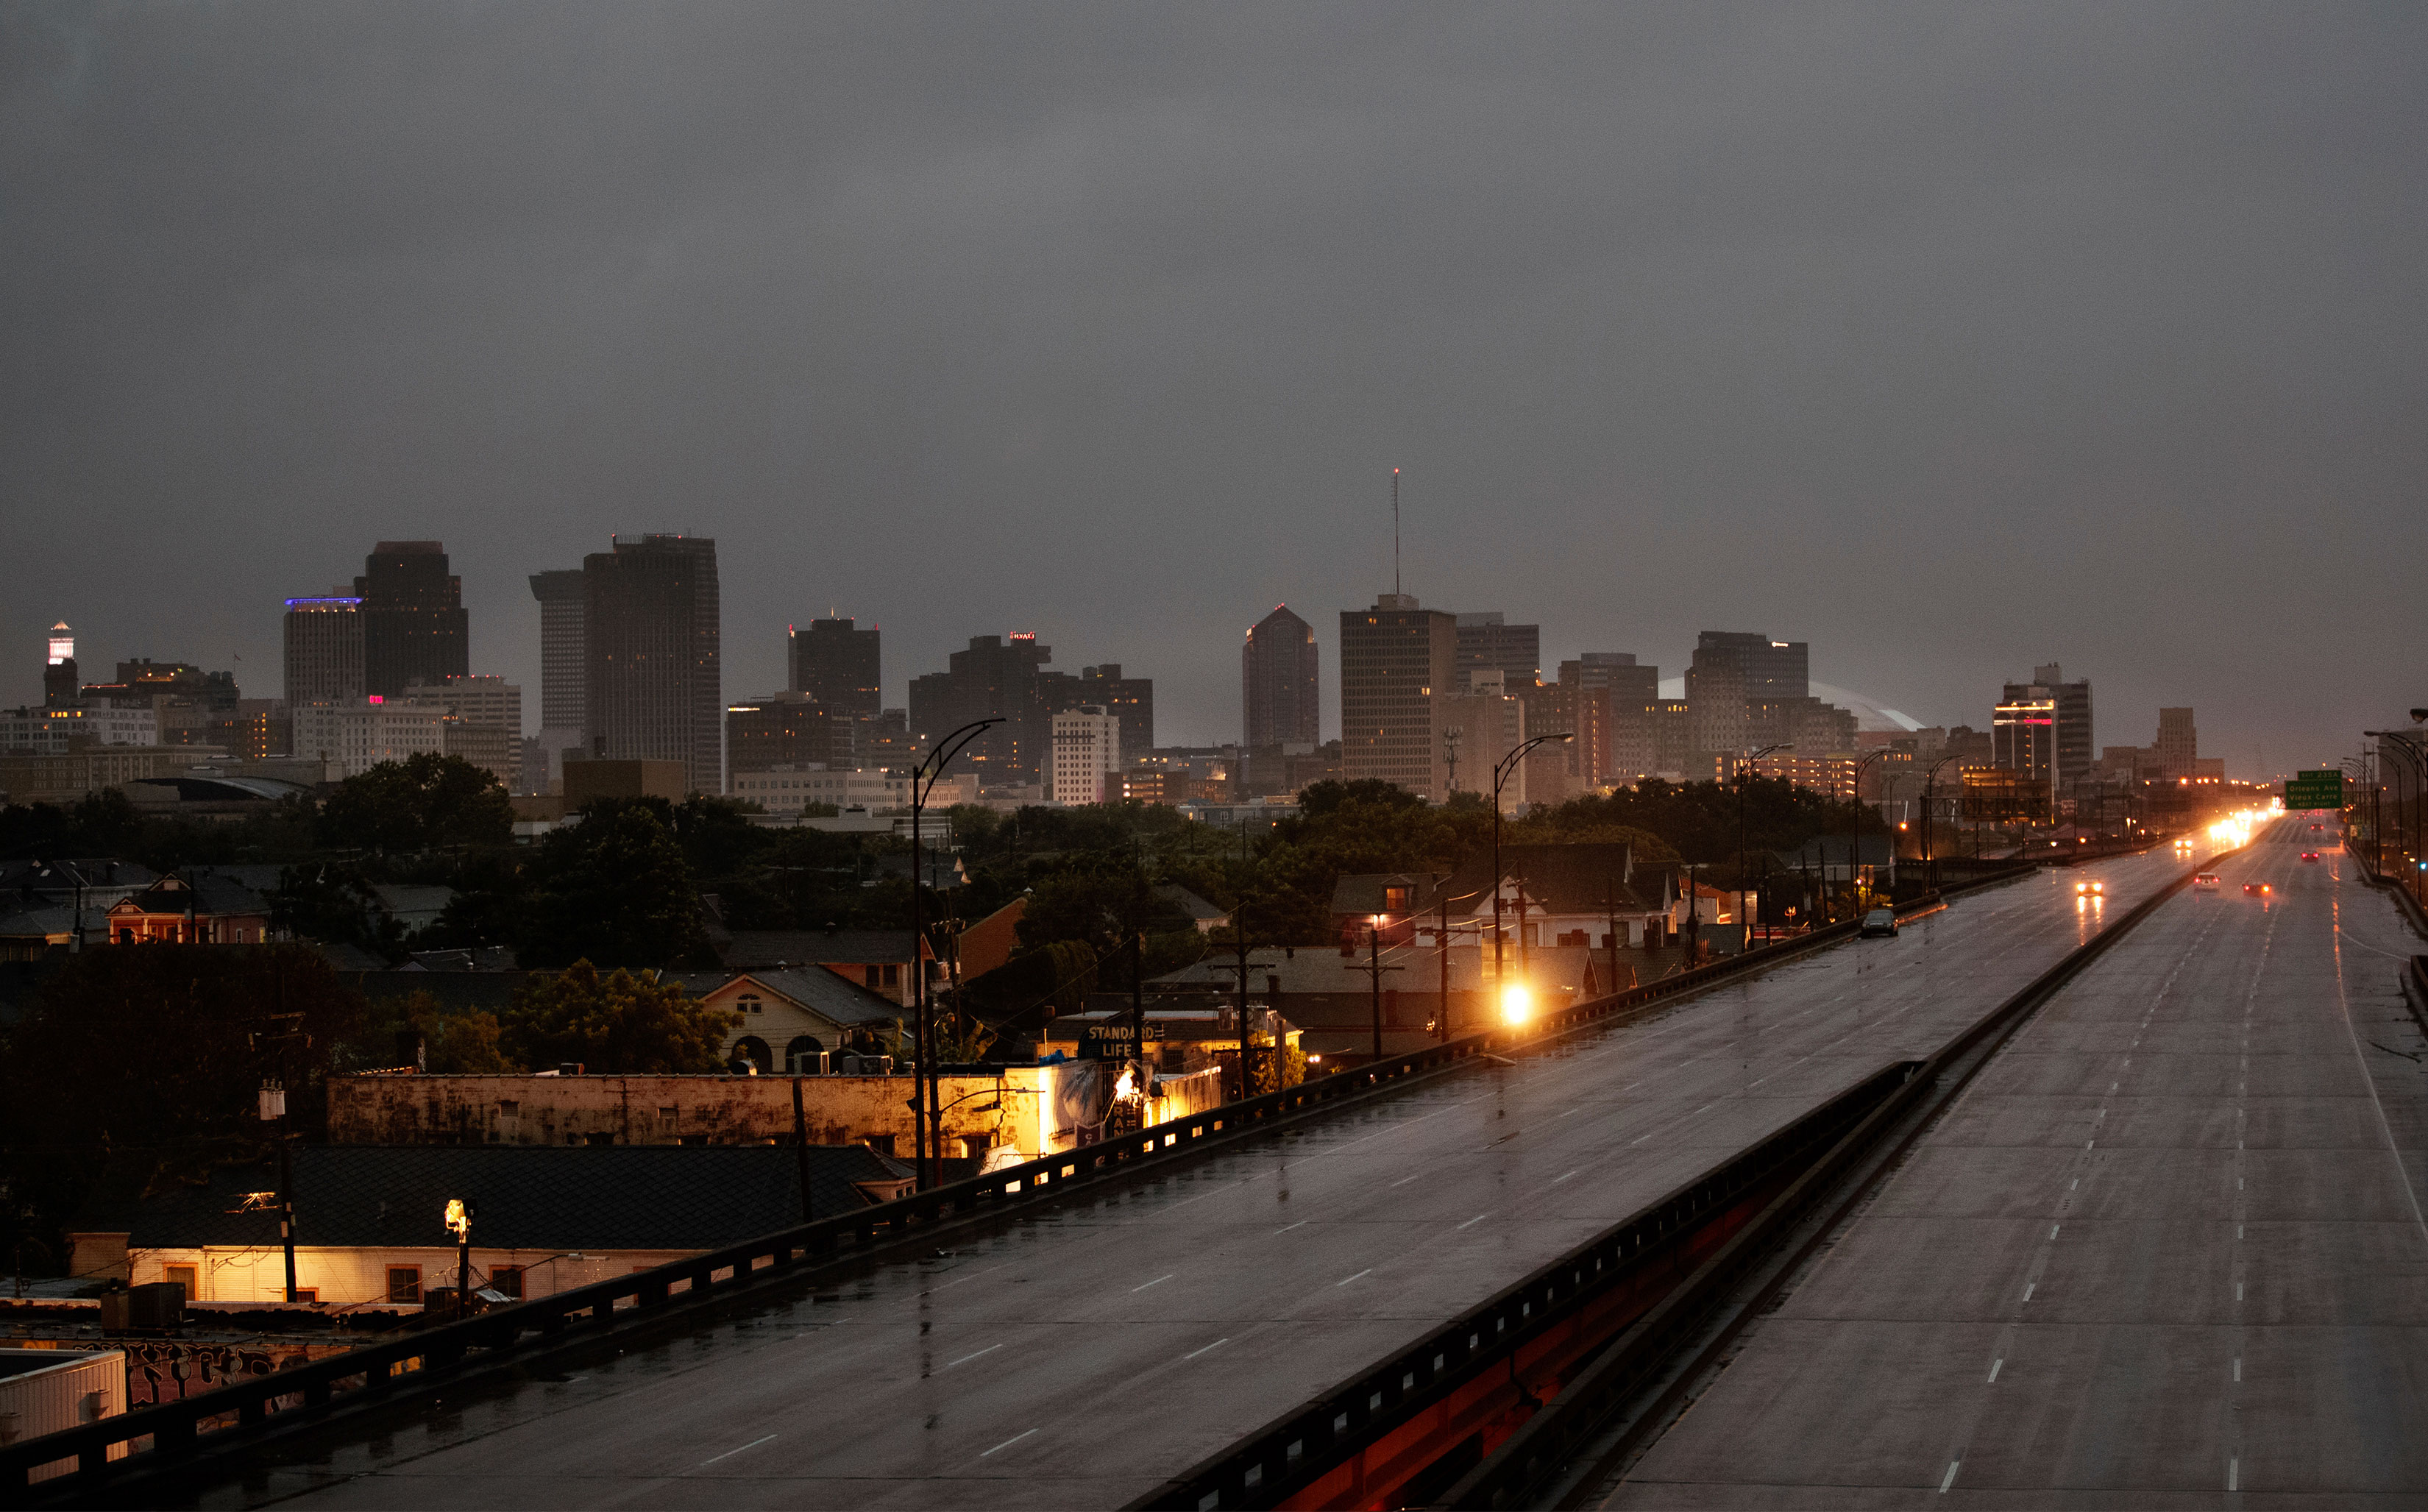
(1946, 339)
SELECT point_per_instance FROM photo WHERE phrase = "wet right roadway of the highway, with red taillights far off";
(2167, 1251)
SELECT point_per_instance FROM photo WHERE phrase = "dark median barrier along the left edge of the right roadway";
(1516, 1472)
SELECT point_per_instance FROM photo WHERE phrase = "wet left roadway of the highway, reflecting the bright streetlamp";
(1089, 1353)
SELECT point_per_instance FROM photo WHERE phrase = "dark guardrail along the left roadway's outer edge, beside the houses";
(443, 1355)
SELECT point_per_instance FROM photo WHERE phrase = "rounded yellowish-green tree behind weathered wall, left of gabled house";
(620, 1025)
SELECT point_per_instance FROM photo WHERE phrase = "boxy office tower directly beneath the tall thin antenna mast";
(1395, 659)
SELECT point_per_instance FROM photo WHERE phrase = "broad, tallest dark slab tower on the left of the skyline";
(652, 656)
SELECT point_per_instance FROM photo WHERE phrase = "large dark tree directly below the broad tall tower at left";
(613, 889)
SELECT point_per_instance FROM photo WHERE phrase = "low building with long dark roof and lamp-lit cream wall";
(370, 1220)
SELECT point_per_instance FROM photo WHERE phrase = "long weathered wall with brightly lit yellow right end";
(669, 1110)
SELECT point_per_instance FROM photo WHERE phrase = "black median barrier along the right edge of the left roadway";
(1307, 1443)
